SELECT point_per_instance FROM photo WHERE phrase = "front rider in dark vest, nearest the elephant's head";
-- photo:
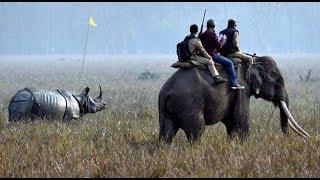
(231, 48)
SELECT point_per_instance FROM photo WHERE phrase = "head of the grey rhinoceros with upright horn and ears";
(89, 105)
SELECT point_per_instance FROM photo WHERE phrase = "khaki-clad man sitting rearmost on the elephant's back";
(199, 54)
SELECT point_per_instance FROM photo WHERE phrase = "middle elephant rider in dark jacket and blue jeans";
(212, 45)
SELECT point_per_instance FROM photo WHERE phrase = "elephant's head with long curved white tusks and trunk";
(266, 82)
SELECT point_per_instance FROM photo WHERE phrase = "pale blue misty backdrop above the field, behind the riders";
(153, 28)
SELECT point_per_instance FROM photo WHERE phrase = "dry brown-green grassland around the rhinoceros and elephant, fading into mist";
(121, 141)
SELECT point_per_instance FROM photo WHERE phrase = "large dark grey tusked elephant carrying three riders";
(190, 100)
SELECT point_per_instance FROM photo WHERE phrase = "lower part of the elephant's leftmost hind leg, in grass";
(167, 130)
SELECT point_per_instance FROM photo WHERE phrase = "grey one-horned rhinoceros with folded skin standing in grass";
(31, 103)
